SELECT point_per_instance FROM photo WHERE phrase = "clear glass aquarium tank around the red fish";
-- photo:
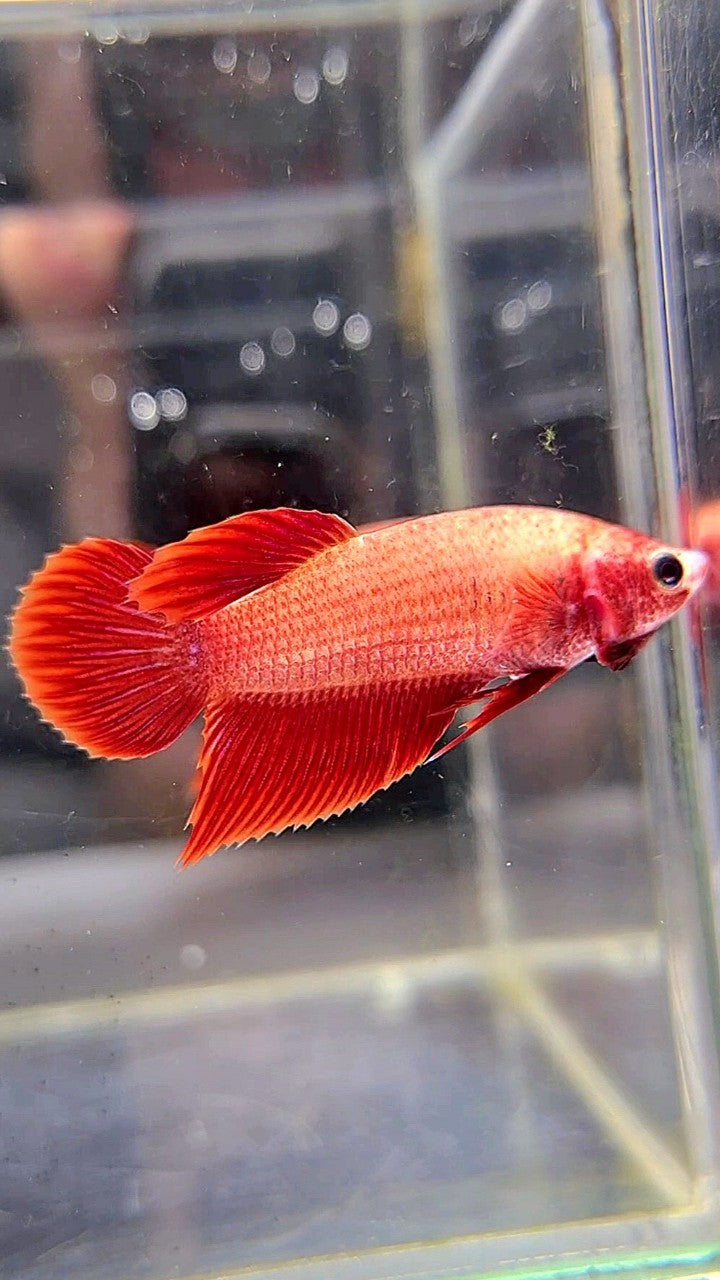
(377, 258)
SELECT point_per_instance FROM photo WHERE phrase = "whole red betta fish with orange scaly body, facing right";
(329, 662)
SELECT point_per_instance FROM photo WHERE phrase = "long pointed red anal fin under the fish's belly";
(271, 764)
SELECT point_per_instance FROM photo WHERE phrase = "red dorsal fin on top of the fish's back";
(221, 564)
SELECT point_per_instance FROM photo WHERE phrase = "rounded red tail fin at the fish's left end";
(110, 678)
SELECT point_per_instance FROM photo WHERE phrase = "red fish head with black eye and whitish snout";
(634, 584)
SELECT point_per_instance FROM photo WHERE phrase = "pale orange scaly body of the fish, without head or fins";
(412, 602)
